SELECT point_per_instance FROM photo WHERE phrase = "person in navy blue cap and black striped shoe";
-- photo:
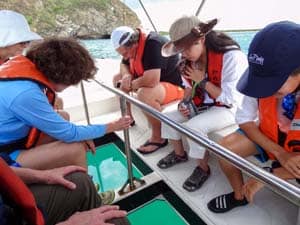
(272, 82)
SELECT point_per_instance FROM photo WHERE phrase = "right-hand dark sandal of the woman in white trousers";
(196, 180)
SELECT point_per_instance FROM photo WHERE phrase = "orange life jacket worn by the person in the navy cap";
(269, 126)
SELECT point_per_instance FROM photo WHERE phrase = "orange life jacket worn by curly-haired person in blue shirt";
(21, 68)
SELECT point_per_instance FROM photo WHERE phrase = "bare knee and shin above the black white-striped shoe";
(242, 146)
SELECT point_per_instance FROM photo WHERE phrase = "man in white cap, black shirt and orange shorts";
(156, 79)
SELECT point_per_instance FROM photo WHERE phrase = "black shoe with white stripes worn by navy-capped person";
(224, 203)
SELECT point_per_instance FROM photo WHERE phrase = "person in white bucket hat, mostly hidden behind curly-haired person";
(15, 36)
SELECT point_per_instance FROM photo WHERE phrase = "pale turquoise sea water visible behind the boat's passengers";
(102, 48)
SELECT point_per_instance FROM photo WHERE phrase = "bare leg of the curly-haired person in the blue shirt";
(53, 155)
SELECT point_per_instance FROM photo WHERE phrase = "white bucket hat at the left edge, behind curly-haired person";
(14, 29)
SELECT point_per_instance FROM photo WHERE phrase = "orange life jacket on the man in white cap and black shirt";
(136, 65)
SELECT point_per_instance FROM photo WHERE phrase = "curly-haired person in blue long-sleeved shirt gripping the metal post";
(51, 66)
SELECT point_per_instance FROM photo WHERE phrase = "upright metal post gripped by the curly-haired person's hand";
(132, 183)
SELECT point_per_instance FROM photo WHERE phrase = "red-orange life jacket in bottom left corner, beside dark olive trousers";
(13, 188)
